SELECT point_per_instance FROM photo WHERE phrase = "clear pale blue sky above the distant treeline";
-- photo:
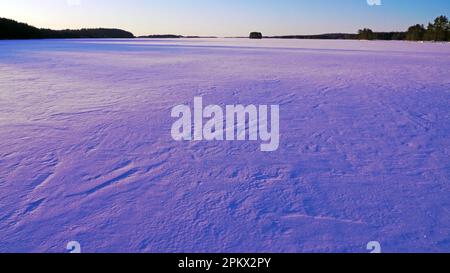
(225, 17)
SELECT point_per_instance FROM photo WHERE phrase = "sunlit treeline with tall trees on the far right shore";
(439, 30)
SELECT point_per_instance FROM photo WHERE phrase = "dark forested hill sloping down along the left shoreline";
(10, 29)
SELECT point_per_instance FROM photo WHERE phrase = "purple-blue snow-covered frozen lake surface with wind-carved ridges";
(86, 152)
